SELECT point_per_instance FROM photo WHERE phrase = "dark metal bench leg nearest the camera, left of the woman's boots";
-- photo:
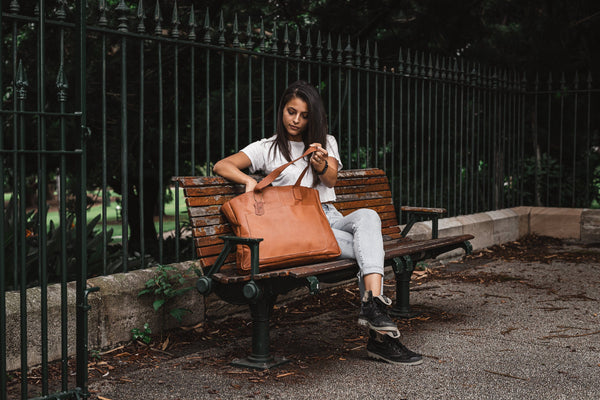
(260, 358)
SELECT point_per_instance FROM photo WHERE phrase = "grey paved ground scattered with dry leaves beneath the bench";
(490, 329)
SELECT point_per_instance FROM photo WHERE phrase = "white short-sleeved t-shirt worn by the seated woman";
(265, 160)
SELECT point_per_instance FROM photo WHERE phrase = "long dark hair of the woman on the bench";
(316, 129)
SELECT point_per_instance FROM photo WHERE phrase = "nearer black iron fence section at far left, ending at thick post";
(41, 131)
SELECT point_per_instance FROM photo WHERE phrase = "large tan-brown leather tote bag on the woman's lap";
(289, 219)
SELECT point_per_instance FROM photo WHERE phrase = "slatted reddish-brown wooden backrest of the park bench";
(355, 189)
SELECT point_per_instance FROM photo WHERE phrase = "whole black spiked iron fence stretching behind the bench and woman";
(169, 92)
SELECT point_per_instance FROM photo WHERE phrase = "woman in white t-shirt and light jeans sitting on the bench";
(302, 122)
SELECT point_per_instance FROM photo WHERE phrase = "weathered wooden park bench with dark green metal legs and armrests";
(215, 247)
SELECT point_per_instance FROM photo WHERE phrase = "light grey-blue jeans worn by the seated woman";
(359, 236)
